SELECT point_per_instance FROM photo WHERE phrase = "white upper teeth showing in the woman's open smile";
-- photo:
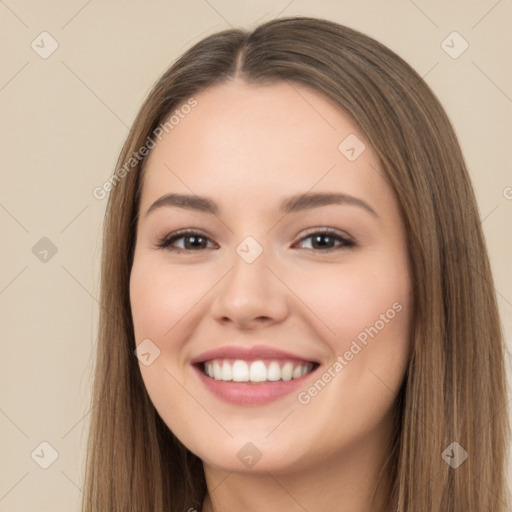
(255, 371)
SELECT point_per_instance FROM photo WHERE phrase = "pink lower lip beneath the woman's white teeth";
(249, 393)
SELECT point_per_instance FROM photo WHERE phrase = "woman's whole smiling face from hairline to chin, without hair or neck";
(267, 343)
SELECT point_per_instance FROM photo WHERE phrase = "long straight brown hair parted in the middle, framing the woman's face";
(455, 385)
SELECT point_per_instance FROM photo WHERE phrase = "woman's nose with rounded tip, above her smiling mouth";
(250, 295)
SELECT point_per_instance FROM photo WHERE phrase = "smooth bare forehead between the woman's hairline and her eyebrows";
(256, 142)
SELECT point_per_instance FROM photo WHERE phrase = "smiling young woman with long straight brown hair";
(330, 339)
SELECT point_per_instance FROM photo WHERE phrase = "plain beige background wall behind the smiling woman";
(64, 120)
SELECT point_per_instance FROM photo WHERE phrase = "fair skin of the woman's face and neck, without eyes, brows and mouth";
(247, 147)
